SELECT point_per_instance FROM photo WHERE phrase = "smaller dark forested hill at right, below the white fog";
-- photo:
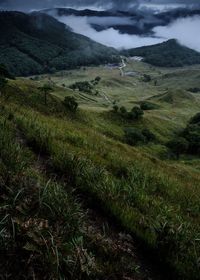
(167, 54)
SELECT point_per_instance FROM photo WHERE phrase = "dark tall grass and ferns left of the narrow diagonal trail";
(43, 224)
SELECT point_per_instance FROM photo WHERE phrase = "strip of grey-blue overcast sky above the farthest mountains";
(37, 4)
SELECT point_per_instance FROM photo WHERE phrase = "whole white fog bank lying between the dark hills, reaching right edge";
(185, 30)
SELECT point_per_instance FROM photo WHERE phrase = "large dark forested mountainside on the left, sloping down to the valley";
(29, 44)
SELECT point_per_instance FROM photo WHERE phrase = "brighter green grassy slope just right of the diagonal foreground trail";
(161, 210)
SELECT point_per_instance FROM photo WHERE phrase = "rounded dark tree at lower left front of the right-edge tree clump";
(178, 146)
